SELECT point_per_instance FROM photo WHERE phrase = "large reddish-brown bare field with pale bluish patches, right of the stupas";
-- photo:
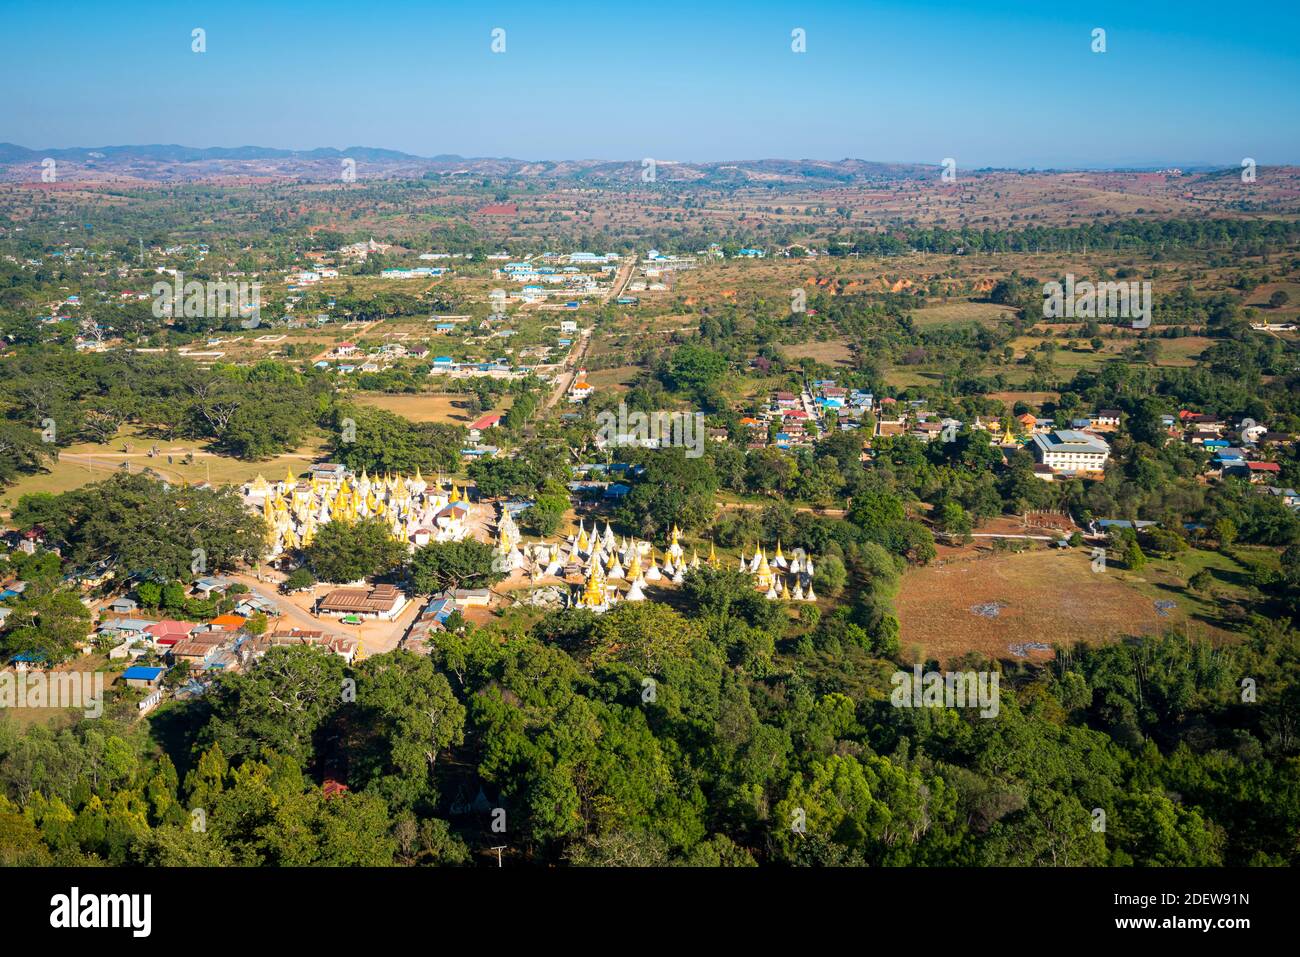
(1045, 595)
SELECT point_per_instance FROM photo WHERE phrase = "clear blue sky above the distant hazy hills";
(1008, 84)
